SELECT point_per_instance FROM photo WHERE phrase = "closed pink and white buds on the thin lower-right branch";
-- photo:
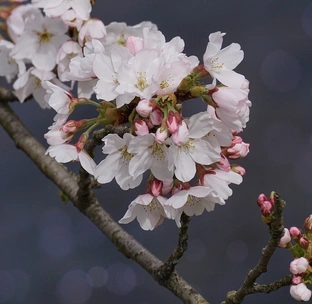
(301, 250)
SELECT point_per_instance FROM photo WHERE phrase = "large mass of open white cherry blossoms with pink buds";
(139, 80)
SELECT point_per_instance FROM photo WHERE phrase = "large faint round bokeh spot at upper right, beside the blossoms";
(280, 71)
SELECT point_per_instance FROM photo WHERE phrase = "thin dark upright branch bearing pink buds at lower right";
(276, 231)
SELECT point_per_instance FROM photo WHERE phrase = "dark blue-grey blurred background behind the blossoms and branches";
(50, 253)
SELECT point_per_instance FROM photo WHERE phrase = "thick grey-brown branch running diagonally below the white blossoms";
(91, 208)
